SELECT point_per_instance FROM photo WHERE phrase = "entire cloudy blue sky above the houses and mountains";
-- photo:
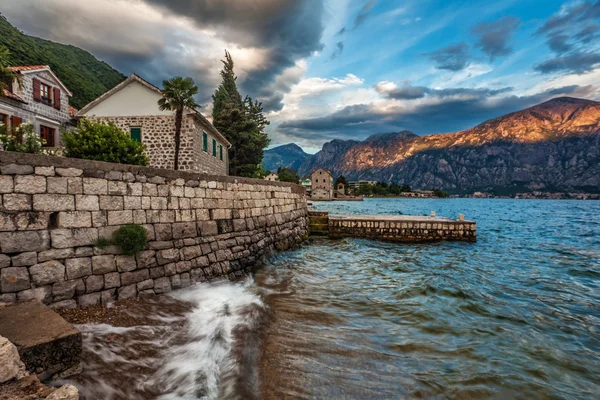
(344, 69)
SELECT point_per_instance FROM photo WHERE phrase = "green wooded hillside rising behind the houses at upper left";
(84, 75)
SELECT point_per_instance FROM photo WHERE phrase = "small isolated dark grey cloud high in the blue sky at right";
(494, 36)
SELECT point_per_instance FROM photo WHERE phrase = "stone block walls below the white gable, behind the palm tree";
(158, 134)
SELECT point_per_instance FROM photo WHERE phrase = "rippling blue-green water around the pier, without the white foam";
(515, 315)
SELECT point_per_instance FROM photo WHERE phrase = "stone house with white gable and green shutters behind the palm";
(132, 105)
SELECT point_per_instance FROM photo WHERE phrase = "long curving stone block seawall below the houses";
(200, 226)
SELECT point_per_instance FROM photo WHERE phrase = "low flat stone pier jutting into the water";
(401, 228)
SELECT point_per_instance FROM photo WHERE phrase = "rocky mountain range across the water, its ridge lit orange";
(554, 146)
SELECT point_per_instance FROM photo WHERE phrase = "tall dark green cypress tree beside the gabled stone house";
(241, 121)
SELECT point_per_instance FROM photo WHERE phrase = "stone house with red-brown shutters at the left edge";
(41, 99)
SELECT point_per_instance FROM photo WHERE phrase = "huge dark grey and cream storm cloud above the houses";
(160, 39)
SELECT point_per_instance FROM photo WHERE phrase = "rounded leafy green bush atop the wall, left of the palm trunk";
(103, 142)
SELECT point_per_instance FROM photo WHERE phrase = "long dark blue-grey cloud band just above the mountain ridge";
(435, 115)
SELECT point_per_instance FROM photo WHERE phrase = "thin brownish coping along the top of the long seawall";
(37, 160)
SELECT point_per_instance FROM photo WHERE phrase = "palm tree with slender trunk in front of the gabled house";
(178, 95)
